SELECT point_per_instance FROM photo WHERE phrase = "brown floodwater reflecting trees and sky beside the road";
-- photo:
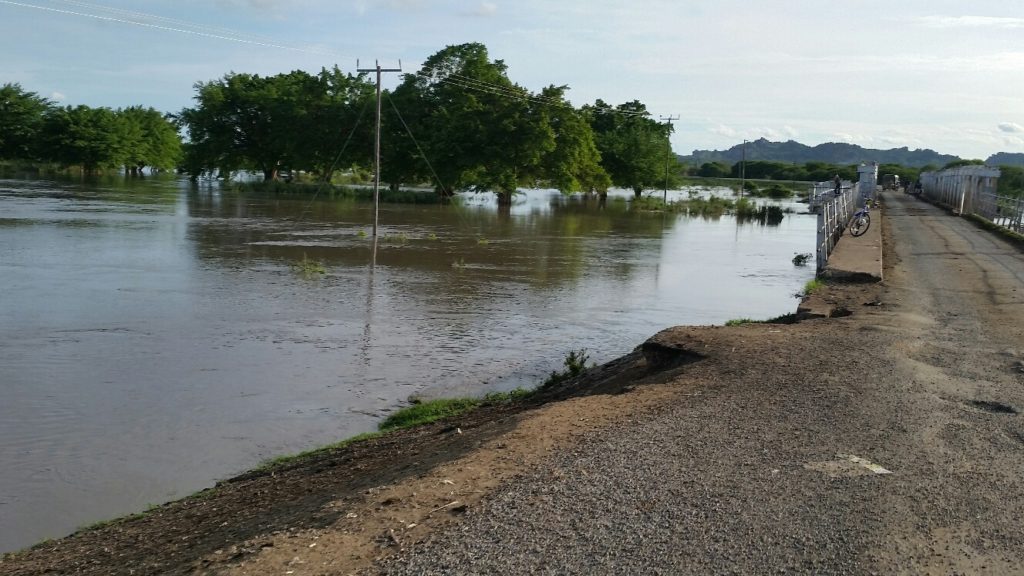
(157, 337)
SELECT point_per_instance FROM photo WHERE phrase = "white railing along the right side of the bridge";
(972, 190)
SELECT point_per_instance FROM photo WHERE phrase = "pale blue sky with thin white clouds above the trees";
(941, 74)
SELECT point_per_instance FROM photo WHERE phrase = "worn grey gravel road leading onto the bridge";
(774, 467)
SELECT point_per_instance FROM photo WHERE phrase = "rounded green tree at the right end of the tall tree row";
(633, 146)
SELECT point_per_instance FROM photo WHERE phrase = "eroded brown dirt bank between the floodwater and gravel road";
(347, 507)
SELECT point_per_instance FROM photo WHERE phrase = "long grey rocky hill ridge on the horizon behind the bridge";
(834, 153)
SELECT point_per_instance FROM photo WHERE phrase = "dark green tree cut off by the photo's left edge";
(22, 116)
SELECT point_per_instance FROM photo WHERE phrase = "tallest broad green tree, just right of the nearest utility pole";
(476, 128)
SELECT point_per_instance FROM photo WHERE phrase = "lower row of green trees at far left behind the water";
(34, 130)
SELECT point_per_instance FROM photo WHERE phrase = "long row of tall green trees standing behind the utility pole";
(459, 124)
